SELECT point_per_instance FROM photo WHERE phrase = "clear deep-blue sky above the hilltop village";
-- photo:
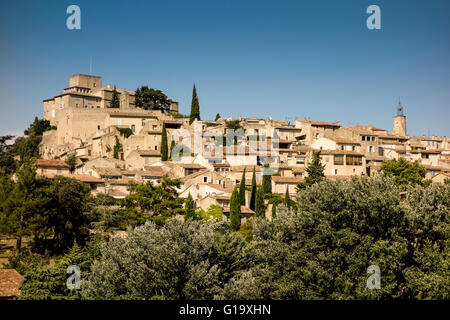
(277, 58)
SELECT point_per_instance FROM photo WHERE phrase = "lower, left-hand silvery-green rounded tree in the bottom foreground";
(186, 261)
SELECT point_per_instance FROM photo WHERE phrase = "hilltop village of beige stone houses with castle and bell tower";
(116, 139)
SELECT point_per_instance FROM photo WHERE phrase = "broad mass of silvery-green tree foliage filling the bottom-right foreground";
(321, 249)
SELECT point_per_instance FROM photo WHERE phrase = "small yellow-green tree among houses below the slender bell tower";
(405, 173)
